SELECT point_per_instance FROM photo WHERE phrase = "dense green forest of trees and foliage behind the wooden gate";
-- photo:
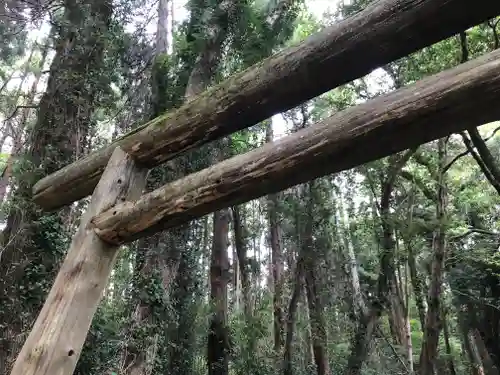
(392, 267)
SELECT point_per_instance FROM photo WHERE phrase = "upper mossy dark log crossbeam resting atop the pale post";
(385, 31)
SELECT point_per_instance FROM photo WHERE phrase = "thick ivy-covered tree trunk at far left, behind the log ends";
(33, 241)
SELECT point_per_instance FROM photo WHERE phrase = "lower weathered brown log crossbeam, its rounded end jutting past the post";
(432, 108)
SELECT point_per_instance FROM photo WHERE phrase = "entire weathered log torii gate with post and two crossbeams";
(386, 30)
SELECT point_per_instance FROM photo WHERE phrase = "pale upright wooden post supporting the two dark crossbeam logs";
(55, 342)
